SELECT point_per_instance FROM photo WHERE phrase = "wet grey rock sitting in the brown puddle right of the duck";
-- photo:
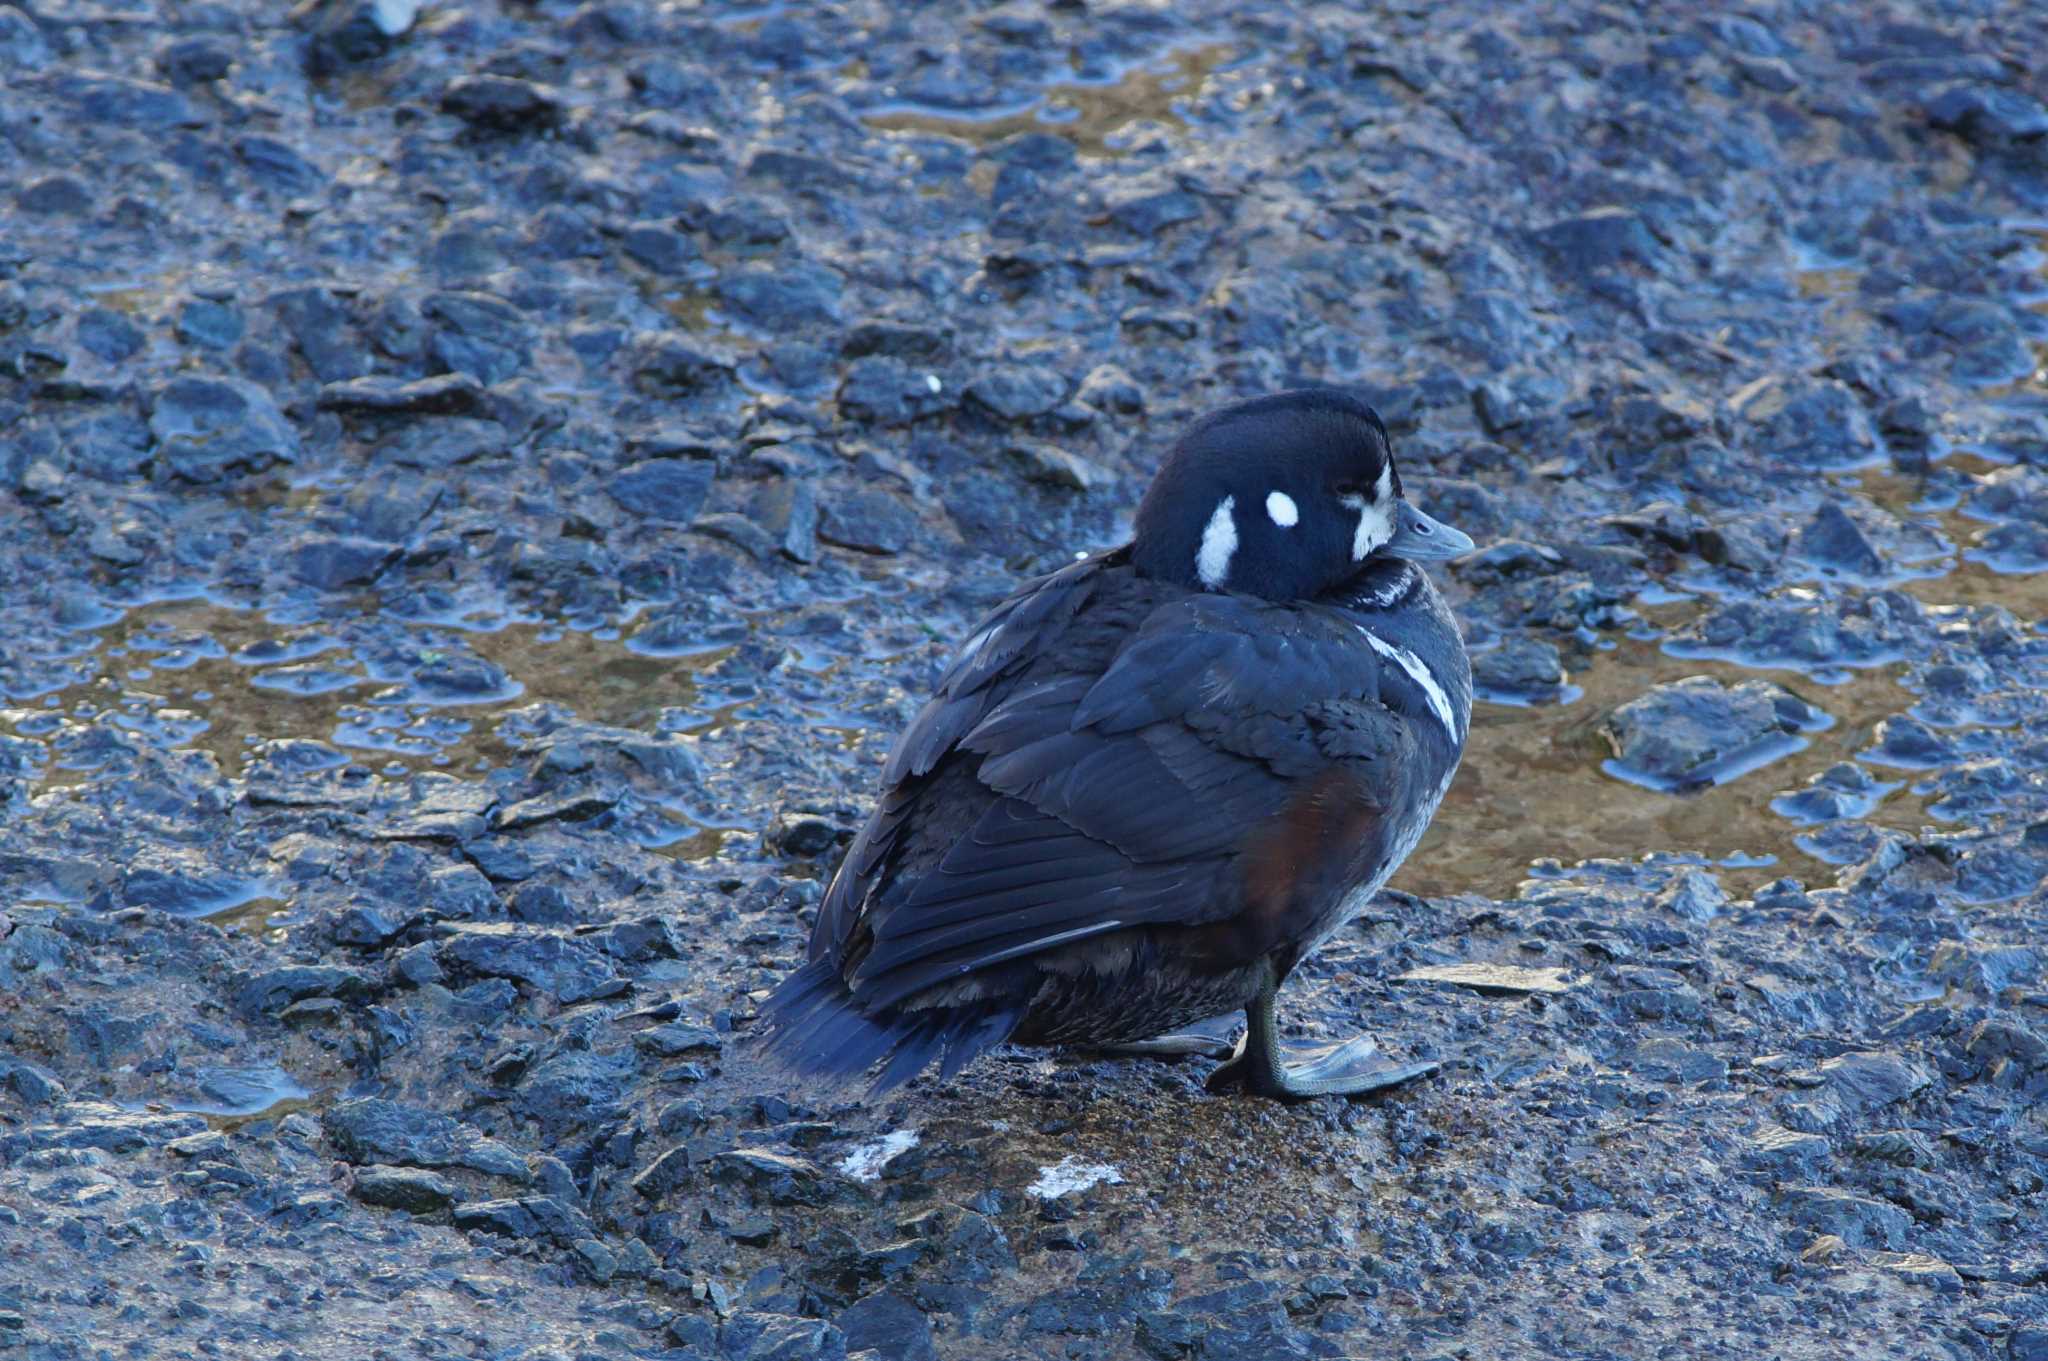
(1699, 732)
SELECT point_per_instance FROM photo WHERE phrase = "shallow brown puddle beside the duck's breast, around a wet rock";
(1533, 785)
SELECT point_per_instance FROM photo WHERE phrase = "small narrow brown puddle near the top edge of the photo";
(1086, 114)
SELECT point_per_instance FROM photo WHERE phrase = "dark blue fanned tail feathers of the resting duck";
(812, 1026)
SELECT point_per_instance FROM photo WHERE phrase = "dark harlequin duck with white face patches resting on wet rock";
(1158, 779)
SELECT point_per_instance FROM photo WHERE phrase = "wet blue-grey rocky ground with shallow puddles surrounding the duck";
(482, 482)
